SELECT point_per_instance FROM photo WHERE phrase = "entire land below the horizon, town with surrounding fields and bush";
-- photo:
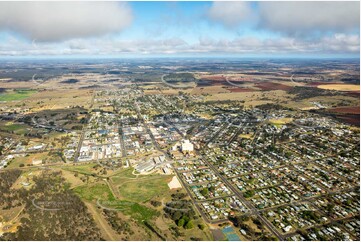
(180, 150)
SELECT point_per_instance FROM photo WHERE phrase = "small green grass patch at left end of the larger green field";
(92, 192)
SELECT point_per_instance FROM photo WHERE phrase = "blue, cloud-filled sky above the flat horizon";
(180, 29)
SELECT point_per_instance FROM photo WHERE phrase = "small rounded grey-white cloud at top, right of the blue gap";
(230, 14)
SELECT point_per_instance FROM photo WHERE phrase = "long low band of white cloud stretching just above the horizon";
(334, 44)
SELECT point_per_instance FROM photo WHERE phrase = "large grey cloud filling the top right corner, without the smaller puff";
(303, 18)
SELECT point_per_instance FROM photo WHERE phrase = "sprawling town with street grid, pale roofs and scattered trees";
(294, 174)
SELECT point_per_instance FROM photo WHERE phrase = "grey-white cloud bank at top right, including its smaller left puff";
(292, 18)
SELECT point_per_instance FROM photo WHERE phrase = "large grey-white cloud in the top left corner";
(53, 21)
